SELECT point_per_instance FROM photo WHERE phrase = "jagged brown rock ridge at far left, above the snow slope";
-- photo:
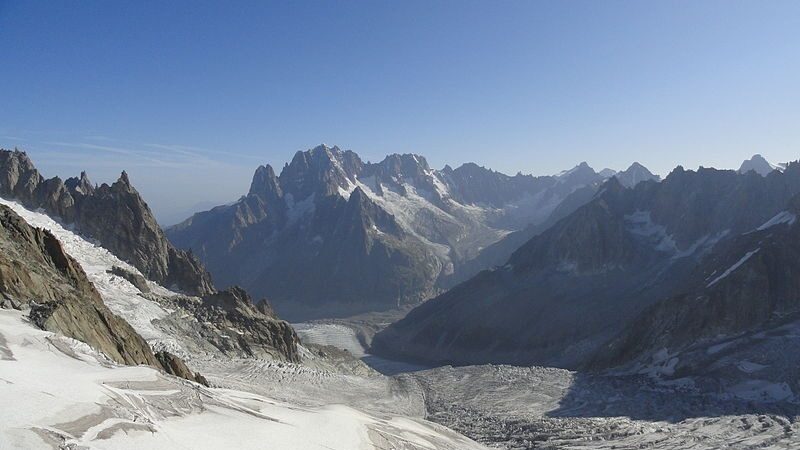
(114, 215)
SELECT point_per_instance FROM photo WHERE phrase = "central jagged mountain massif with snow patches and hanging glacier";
(333, 235)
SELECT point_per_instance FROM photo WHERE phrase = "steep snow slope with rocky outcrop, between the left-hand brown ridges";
(221, 324)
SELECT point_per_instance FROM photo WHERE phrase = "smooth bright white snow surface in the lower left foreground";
(65, 395)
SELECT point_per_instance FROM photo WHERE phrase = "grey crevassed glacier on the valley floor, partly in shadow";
(536, 407)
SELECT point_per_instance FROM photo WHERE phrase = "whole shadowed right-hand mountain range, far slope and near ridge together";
(632, 271)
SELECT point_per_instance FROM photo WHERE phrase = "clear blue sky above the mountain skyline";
(190, 98)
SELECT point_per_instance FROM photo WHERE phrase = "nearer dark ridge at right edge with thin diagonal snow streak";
(745, 283)
